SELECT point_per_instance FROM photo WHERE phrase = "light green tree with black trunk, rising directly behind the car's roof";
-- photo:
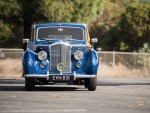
(83, 11)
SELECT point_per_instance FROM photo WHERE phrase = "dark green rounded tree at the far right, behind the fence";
(134, 26)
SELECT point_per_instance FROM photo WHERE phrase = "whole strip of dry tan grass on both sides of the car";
(13, 68)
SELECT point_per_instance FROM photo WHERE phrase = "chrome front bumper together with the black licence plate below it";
(60, 76)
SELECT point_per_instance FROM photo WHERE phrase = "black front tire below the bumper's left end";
(29, 84)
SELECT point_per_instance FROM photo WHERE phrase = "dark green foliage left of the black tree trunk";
(11, 29)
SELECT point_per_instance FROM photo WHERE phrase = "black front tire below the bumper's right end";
(91, 83)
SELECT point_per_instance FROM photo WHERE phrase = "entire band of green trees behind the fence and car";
(122, 25)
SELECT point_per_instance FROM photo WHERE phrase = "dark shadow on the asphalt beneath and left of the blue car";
(18, 85)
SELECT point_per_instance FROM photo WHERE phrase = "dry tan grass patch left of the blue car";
(10, 68)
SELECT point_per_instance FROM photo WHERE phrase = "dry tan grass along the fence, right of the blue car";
(121, 71)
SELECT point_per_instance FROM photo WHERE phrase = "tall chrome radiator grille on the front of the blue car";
(60, 53)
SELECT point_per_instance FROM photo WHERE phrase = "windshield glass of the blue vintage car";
(64, 33)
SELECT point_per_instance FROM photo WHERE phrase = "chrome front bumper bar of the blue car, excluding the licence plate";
(47, 76)
